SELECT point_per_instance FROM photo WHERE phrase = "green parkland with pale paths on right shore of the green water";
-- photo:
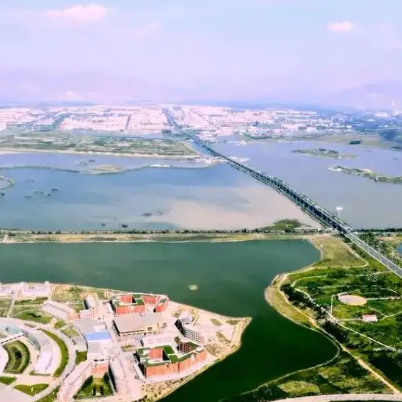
(307, 297)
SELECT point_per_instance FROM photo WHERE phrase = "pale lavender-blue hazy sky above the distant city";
(178, 50)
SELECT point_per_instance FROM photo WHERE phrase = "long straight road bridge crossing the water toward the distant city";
(310, 207)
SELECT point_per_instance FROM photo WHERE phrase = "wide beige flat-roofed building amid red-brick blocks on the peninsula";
(140, 323)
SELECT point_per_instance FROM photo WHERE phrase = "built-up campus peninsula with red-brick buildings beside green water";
(67, 341)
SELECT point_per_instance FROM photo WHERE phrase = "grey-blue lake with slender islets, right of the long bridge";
(366, 203)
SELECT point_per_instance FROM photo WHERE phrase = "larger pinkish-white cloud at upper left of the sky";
(79, 13)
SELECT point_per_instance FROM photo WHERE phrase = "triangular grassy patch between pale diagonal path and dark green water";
(343, 375)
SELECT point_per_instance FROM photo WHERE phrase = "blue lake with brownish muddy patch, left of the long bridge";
(188, 196)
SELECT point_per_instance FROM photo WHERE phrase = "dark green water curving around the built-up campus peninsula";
(231, 279)
